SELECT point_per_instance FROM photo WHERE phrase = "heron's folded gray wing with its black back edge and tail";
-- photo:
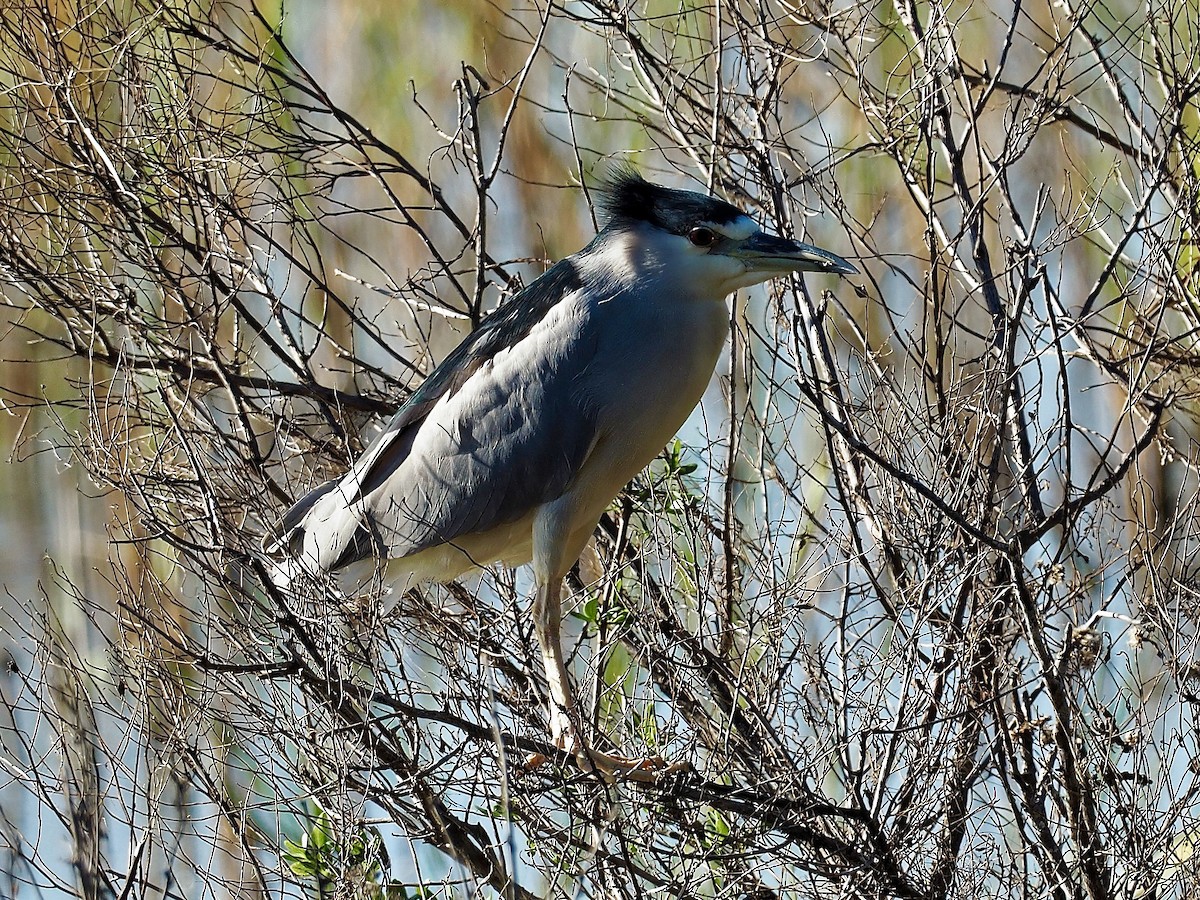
(499, 429)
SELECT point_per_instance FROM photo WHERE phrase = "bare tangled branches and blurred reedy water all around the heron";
(913, 596)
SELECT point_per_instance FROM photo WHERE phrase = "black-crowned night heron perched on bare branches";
(514, 447)
